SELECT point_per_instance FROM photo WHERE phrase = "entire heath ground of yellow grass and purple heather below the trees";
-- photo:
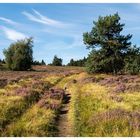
(66, 101)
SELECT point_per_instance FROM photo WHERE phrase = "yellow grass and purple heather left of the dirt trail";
(27, 107)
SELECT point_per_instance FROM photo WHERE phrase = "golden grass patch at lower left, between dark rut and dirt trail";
(35, 121)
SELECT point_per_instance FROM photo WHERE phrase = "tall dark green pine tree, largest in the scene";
(109, 46)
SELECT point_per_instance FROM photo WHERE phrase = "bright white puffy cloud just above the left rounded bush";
(13, 34)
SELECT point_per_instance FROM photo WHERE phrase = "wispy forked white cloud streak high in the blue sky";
(38, 17)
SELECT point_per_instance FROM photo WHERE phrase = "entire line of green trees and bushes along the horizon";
(110, 50)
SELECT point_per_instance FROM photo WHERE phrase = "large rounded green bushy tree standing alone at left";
(19, 55)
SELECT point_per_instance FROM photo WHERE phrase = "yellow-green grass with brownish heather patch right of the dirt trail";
(98, 111)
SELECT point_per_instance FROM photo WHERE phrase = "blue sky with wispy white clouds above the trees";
(57, 29)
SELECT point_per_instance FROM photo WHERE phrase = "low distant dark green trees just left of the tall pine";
(80, 63)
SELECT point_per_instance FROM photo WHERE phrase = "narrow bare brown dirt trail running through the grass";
(64, 126)
